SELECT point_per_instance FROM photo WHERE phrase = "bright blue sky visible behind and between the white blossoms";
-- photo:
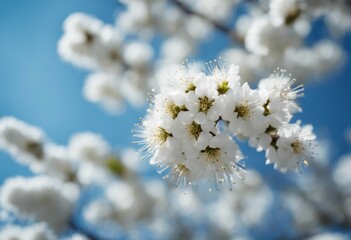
(36, 86)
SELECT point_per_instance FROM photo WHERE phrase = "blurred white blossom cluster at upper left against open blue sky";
(121, 68)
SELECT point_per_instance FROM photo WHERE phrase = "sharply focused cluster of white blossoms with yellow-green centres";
(191, 127)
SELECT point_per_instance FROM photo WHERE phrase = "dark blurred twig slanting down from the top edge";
(220, 27)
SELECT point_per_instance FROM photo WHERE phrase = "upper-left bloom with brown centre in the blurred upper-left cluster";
(88, 43)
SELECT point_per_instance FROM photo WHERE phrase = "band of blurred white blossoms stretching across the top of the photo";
(150, 37)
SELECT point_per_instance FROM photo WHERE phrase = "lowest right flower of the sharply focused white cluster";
(292, 146)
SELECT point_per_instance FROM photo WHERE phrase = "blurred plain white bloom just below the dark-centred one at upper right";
(263, 38)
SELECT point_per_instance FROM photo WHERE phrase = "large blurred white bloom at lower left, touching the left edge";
(39, 198)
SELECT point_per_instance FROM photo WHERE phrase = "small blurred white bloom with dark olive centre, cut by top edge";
(284, 11)
